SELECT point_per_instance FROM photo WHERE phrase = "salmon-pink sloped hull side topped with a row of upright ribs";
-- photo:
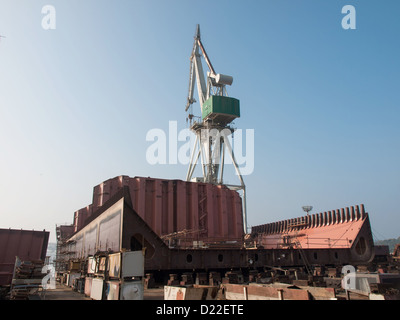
(346, 228)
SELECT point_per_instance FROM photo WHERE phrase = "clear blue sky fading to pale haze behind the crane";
(77, 102)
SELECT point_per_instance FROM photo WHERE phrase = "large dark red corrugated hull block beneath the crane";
(205, 211)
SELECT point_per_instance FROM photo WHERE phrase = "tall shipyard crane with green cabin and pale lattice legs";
(212, 130)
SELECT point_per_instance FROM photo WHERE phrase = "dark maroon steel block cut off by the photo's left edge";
(25, 244)
